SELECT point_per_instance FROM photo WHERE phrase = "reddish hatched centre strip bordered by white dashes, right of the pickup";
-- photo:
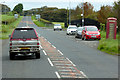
(65, 67)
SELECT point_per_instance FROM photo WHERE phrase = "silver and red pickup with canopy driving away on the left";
(24, 42)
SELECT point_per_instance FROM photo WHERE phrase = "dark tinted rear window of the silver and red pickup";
(24, 34)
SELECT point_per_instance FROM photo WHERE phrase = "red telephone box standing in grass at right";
(111, 28)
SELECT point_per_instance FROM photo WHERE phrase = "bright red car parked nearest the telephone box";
(90, 32)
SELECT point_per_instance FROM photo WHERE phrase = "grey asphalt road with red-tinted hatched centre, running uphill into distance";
(81, 55)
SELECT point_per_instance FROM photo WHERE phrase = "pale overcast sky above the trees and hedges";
(29, 4)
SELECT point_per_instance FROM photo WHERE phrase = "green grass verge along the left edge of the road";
(6, 30)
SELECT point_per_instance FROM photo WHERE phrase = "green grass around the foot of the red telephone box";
(109, 46)
